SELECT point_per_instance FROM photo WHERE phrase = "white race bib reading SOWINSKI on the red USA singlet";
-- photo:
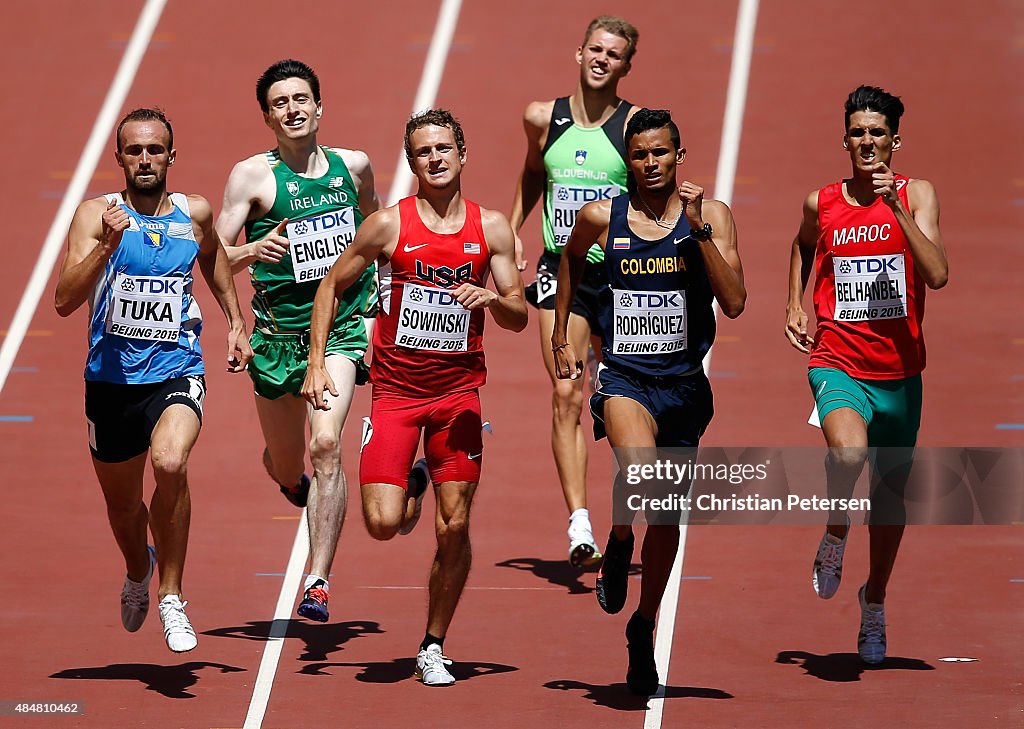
(432, 319)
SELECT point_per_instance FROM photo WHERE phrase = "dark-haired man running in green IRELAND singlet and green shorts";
(301, 205)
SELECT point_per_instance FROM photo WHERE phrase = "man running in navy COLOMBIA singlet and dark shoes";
(669, 254)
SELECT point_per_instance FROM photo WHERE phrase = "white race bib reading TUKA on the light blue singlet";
(146, 308)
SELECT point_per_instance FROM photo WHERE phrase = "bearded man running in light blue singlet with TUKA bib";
(131, 255)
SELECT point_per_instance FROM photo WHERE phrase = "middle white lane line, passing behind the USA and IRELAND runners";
(431, 81)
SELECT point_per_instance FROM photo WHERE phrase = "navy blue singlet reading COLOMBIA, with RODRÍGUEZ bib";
(658, 319)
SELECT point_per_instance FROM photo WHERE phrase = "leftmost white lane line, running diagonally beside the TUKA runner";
(80, 181)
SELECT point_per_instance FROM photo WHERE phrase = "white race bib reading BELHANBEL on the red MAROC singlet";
(871, 288)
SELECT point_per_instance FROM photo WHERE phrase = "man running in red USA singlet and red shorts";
(429, 357)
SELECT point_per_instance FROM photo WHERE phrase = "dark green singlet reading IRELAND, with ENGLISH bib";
(323, 216)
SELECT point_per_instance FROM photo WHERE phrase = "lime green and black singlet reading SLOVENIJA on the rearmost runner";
(584, 166)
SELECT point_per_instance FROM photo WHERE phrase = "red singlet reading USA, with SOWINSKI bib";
(425, 344)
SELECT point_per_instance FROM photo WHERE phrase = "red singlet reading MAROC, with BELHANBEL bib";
(869, 297)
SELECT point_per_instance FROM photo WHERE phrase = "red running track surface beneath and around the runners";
(753, 648)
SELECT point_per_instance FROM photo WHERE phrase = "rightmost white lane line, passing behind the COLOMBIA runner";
(726, 178)
